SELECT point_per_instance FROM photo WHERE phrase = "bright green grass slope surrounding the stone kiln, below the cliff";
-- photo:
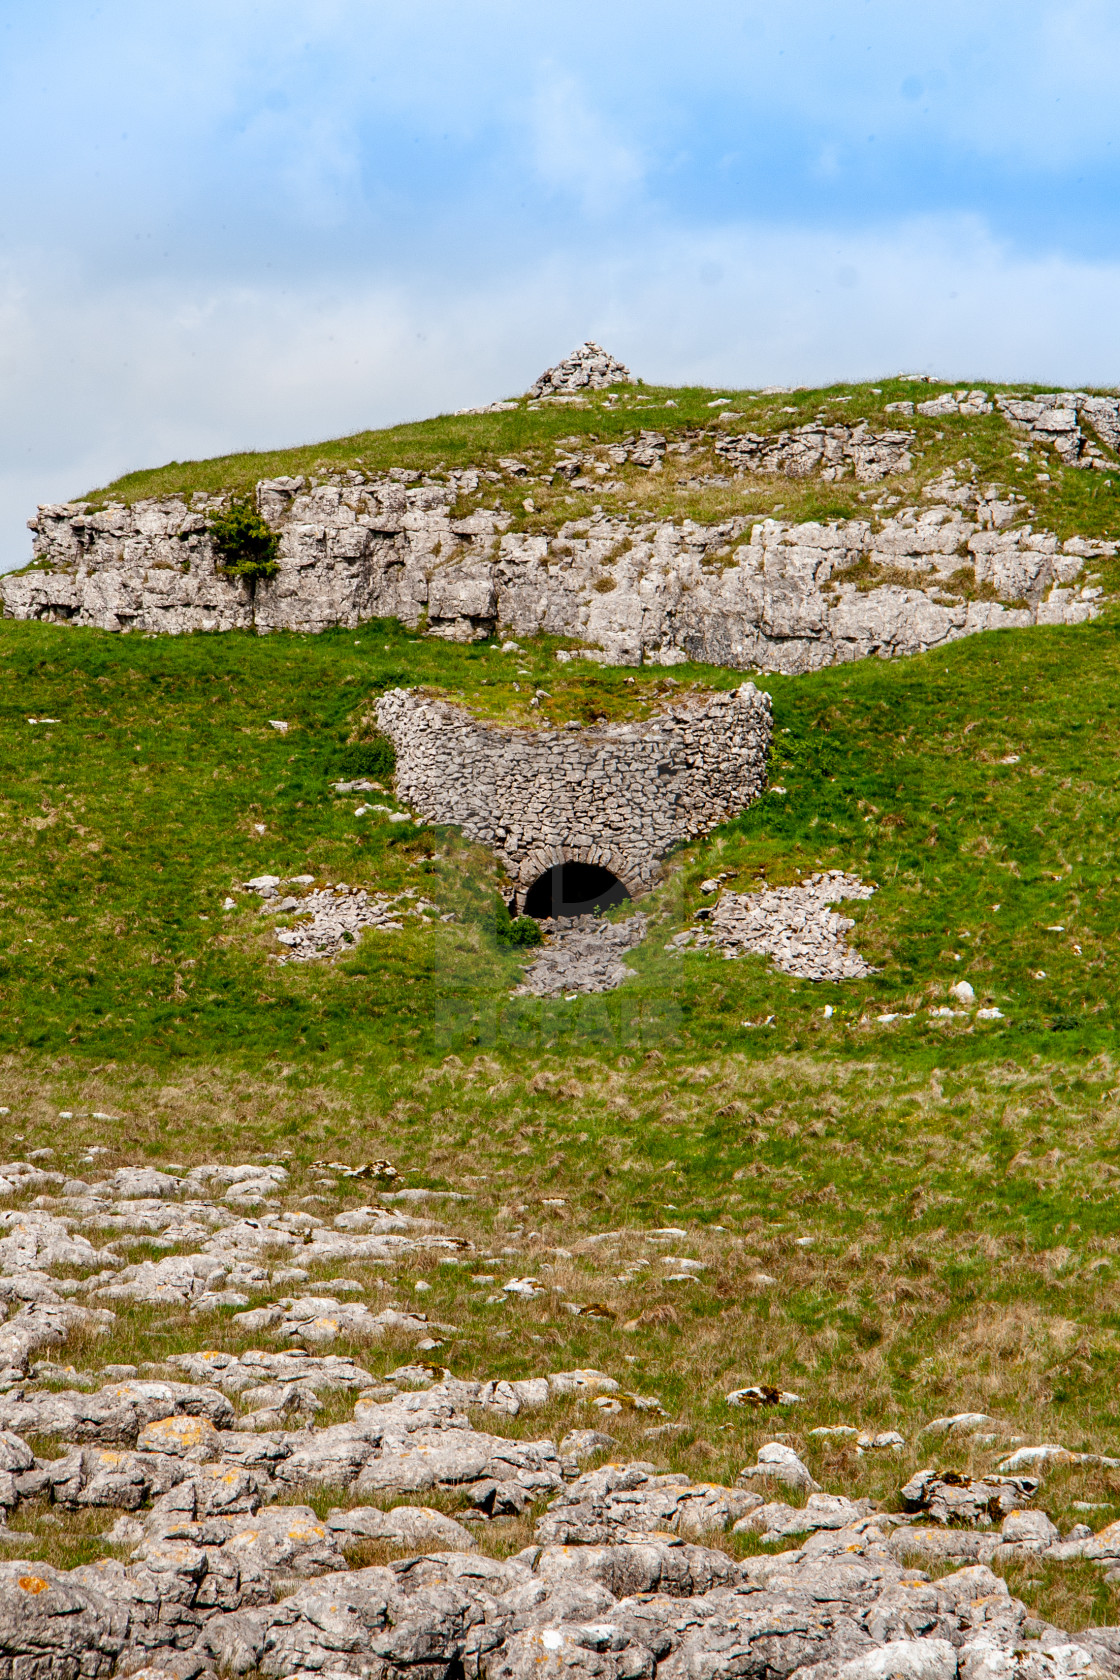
(130, 821)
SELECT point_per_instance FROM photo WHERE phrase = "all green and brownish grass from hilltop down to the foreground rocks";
(898, 1221)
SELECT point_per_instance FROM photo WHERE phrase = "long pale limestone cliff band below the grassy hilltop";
(745, 594)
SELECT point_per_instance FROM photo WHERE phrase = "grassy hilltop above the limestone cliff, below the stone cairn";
(983, 446)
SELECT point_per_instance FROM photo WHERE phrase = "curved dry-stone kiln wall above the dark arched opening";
(622, 795)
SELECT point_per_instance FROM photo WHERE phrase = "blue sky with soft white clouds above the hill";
(239, 226)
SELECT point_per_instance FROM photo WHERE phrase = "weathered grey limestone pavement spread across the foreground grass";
(219, 1565)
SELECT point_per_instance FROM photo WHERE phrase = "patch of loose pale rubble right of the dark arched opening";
(793, 925)
